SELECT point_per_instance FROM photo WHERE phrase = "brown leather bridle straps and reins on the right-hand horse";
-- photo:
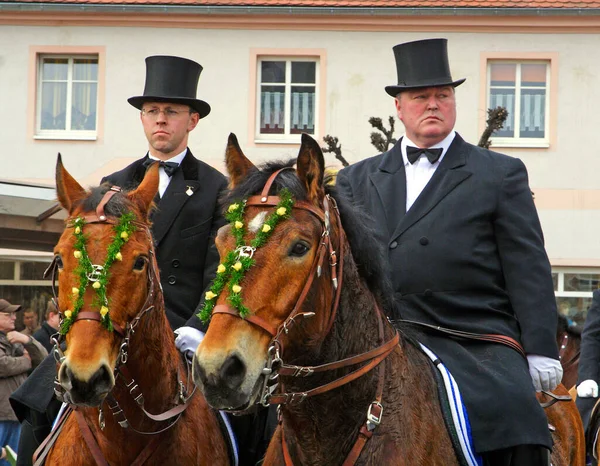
(273, 391)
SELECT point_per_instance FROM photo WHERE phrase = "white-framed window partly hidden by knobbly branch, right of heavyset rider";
(522, 87)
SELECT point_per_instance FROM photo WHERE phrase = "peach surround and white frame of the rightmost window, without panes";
(551, 61)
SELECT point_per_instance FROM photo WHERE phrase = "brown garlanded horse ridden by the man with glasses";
(120, 367)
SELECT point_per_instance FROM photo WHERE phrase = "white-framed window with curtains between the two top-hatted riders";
(287, 97)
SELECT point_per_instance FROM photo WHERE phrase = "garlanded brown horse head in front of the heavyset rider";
(277, 272)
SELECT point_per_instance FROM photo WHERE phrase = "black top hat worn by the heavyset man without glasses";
(423, 63)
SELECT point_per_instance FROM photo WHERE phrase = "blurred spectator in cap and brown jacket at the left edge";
(18, 354)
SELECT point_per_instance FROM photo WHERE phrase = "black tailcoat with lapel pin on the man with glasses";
(183, 228)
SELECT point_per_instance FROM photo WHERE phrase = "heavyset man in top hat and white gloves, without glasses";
(466, 252)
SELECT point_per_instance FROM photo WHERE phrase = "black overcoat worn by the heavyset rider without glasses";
(469, 255)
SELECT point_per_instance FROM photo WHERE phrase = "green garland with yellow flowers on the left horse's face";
(98, 275)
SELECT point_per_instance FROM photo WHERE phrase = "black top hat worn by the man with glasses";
(171, 79)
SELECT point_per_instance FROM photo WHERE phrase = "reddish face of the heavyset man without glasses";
(428, 114)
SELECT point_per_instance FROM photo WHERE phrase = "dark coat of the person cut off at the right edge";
(589, 362)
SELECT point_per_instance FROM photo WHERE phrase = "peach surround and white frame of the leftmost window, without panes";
(36, 53)
